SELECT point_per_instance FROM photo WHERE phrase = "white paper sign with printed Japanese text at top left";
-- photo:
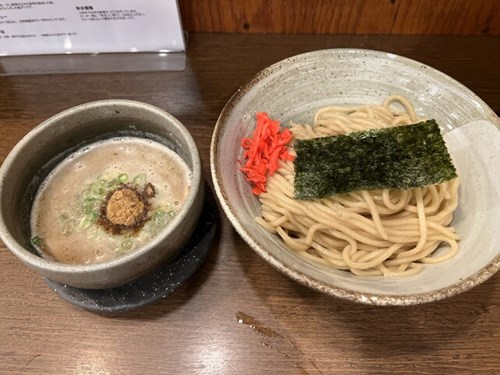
(89, 26)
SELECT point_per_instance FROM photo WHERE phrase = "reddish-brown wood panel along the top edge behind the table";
(398, 17)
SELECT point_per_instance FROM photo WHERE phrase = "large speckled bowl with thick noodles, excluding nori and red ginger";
(384, 246)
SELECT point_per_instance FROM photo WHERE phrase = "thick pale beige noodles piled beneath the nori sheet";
(386, 232)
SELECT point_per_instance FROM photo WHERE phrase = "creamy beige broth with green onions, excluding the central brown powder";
(65, 215)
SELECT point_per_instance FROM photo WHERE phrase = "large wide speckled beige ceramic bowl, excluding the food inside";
(294, 88)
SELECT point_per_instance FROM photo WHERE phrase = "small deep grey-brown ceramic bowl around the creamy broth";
(50, 142)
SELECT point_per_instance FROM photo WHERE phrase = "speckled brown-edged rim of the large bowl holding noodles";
(379, 299)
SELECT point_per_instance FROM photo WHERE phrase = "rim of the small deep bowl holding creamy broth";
(48, 265)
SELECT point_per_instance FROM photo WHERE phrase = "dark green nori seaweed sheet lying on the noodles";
(401, 157)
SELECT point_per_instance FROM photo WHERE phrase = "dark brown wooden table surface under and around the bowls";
(237, 315)
